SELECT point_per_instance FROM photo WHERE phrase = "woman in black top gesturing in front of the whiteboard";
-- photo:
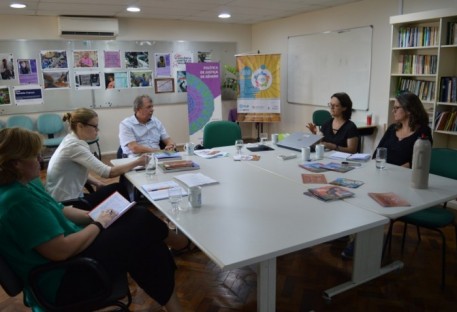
(340, 133)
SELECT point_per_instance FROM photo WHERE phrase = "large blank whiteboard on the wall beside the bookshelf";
(325, 63)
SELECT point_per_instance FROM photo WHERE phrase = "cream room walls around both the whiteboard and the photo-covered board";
(269, 37)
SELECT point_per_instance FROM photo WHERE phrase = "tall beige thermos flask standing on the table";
(421, 163)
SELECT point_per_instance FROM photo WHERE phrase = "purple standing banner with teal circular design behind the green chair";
(203, 97)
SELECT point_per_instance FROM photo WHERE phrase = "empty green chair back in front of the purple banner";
(220, 133)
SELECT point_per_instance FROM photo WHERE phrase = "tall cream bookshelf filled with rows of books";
(424, 61)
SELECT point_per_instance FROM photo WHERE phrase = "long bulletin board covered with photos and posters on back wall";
(67, 81)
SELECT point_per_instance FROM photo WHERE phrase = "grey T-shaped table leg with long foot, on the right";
(367, 261)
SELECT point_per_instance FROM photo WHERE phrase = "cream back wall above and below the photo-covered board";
(174, 116)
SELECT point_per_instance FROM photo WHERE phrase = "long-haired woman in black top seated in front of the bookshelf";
(411, 123)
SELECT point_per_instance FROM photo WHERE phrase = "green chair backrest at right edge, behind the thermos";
(443, 162)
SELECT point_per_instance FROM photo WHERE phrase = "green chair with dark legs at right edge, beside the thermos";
(436, 217)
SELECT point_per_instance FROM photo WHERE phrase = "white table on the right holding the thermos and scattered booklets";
(392, 179)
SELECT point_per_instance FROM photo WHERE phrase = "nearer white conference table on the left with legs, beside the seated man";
(252, 216)
